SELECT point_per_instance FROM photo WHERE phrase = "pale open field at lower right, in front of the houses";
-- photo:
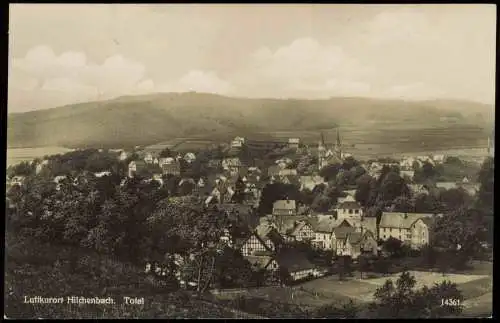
(476, 285)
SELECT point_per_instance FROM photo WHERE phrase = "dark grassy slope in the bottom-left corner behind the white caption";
(43, 270)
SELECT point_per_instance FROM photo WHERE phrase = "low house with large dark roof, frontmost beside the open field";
(294, 266)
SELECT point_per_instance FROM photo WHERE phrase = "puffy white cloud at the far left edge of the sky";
(71, 72)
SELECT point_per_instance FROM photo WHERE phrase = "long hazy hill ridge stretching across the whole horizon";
(148, 119)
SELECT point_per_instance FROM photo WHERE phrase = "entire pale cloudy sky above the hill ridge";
(67, 53)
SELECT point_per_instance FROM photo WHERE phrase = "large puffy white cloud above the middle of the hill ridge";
(304, 66)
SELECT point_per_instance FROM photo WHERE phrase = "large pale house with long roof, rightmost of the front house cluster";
(407, 227)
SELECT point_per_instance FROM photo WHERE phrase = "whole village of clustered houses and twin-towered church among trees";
(274, 239)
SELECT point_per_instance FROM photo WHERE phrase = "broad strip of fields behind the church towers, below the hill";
(466, 142)
